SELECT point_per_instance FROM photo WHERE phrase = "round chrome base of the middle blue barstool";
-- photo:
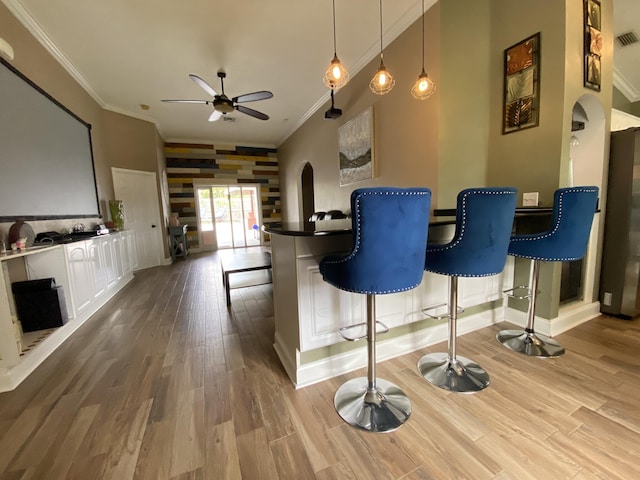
(460, 375)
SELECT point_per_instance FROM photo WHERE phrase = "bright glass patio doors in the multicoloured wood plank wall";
(228, 216)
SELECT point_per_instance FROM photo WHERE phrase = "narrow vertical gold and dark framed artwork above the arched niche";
(592, 44)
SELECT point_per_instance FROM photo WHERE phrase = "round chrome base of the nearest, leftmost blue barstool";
(384, 409)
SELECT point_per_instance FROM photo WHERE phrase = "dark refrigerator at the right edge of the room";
(620, 272)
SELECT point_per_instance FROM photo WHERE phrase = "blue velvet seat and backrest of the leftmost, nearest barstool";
(390, 228)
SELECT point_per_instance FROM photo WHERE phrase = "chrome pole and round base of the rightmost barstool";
(528, 342)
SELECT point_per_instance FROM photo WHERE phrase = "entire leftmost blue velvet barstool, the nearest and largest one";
(390, 237)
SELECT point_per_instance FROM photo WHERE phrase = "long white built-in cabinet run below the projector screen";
(90, 271)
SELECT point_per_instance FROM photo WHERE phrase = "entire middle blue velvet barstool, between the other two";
(484, 220)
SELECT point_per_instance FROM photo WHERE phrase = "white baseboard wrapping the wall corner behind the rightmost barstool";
(569, 316)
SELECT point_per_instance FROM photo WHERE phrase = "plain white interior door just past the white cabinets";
(138, 191)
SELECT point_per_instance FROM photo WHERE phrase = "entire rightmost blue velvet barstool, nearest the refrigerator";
(566, 240)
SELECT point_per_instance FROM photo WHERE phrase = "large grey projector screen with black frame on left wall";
(46, 159)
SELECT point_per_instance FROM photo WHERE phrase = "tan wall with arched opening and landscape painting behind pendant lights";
(406, 129)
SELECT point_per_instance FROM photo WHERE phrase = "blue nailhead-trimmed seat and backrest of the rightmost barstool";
(567, 239)
